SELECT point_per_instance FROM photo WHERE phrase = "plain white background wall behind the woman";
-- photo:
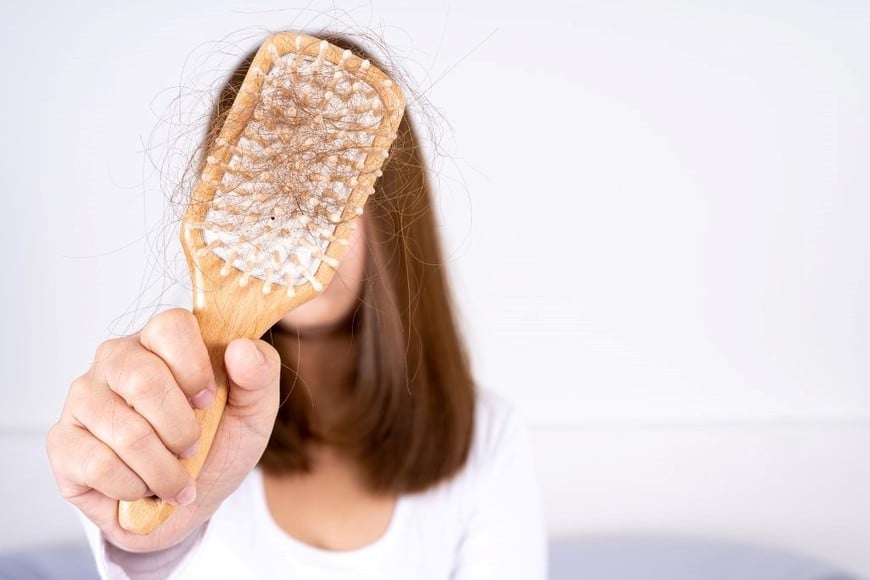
(655, 215)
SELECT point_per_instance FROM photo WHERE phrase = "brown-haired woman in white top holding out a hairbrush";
(354, 443)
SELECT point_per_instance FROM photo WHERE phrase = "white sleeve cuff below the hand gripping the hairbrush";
(113, 563)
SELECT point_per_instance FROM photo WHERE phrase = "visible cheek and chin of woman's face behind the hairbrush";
(335, 303)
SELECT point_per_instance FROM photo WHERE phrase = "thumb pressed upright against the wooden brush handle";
(254, 369)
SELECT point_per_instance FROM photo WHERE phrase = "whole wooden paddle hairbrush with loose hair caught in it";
(292, 166)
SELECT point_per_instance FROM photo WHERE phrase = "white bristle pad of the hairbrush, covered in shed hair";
(289, 177)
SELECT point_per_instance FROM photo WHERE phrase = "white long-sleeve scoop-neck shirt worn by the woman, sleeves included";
(485, 523)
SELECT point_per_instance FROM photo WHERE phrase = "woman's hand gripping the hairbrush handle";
(127, 422)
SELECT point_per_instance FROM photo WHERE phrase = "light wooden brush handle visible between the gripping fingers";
(146, 515)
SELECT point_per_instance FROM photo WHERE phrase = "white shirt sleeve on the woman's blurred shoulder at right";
(504, 533)
